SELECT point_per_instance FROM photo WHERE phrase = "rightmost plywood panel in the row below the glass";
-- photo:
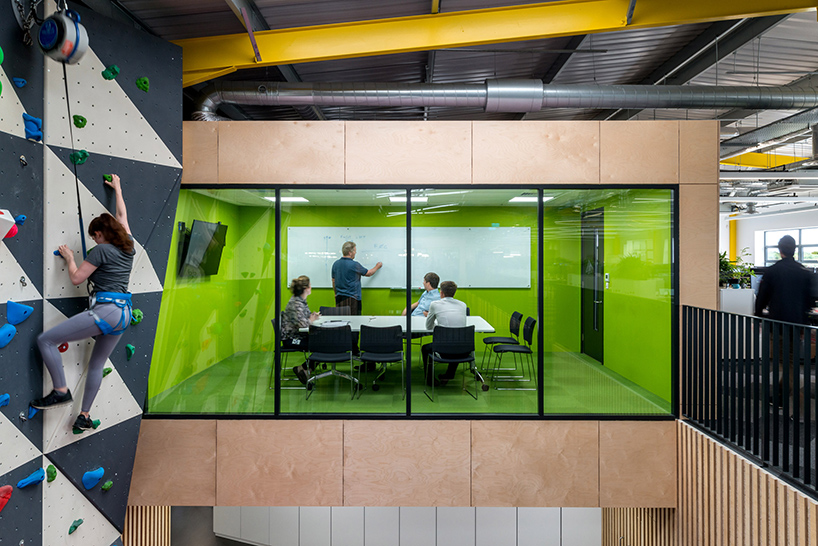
(637, 464)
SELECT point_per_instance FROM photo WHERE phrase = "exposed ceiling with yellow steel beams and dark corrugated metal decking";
(605, 42)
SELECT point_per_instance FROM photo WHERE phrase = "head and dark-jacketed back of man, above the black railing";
(786, 288)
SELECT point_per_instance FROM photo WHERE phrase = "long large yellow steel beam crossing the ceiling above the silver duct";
(459, 29)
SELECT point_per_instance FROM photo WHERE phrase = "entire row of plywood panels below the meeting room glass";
(407, 463)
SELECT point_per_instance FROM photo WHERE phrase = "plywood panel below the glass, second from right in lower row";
(552, 463)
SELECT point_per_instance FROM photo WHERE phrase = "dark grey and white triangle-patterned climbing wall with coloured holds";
(137, 135)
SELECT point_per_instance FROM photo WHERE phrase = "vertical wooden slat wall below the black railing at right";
(726, 500)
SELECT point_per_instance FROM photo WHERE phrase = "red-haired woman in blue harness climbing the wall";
(108, 268)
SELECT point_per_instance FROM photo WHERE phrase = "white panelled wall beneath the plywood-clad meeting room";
(393, 526)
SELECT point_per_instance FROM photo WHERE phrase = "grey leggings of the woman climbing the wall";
(81, 326)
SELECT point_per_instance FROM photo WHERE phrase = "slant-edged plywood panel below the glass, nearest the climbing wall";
(175, 463)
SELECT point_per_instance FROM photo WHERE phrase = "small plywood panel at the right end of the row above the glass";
(699, 152)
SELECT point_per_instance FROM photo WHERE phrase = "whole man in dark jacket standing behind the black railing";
(786, 288)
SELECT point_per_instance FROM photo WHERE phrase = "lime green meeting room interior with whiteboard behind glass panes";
(605, 276)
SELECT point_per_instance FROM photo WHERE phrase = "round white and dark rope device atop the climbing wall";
(61, 36)
